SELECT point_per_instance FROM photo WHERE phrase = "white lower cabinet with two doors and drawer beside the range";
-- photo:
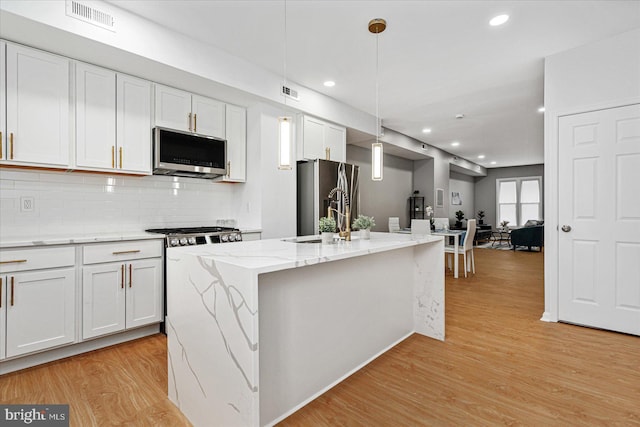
(124, 294)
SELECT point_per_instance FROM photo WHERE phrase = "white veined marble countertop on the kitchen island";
(263, 256)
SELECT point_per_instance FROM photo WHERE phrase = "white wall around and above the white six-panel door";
(599, 75)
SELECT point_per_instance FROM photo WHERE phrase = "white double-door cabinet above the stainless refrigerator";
(318, 139)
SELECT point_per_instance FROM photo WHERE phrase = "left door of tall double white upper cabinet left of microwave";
(95, 117)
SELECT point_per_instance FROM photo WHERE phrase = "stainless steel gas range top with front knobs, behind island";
(187, 236)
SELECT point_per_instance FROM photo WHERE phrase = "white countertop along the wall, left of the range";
(75, 239)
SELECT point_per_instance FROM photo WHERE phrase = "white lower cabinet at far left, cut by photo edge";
(37, 306)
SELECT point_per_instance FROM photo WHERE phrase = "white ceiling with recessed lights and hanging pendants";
(436, 59)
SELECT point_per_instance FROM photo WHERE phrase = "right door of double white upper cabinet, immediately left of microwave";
(133, 120)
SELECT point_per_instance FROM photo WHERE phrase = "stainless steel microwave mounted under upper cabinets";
(188, 154)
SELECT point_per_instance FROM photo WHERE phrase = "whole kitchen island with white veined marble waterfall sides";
(258, 329)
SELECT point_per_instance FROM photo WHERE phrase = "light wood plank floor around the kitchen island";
(499, 365)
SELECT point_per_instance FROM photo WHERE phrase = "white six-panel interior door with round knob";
(599, 217)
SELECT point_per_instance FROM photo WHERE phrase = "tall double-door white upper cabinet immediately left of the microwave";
(113, 121)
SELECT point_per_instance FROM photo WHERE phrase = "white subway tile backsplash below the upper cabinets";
(82, 203)
